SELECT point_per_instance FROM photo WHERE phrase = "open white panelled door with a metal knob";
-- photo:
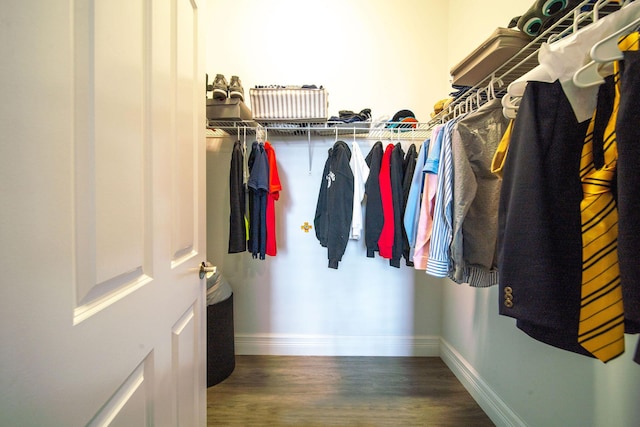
(102, 213)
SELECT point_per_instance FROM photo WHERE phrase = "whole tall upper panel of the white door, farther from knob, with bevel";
(112, 155)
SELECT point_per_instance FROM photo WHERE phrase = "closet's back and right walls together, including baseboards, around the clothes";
(385, 56)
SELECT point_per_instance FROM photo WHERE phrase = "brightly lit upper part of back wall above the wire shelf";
(384, 55)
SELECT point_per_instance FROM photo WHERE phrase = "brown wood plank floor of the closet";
(342, 391)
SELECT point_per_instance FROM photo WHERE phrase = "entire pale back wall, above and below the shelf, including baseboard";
(368, 54)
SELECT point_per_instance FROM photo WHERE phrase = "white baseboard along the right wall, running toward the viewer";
(481, 392)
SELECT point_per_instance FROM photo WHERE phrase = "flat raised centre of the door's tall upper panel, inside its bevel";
(121, 194)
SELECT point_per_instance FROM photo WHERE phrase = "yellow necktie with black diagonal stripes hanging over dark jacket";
(601, 327)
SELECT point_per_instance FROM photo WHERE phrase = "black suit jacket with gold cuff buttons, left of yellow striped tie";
(539, 226)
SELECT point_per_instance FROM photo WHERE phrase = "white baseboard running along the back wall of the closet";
(326, 345)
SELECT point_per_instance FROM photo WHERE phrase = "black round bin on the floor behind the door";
(221, 356)
